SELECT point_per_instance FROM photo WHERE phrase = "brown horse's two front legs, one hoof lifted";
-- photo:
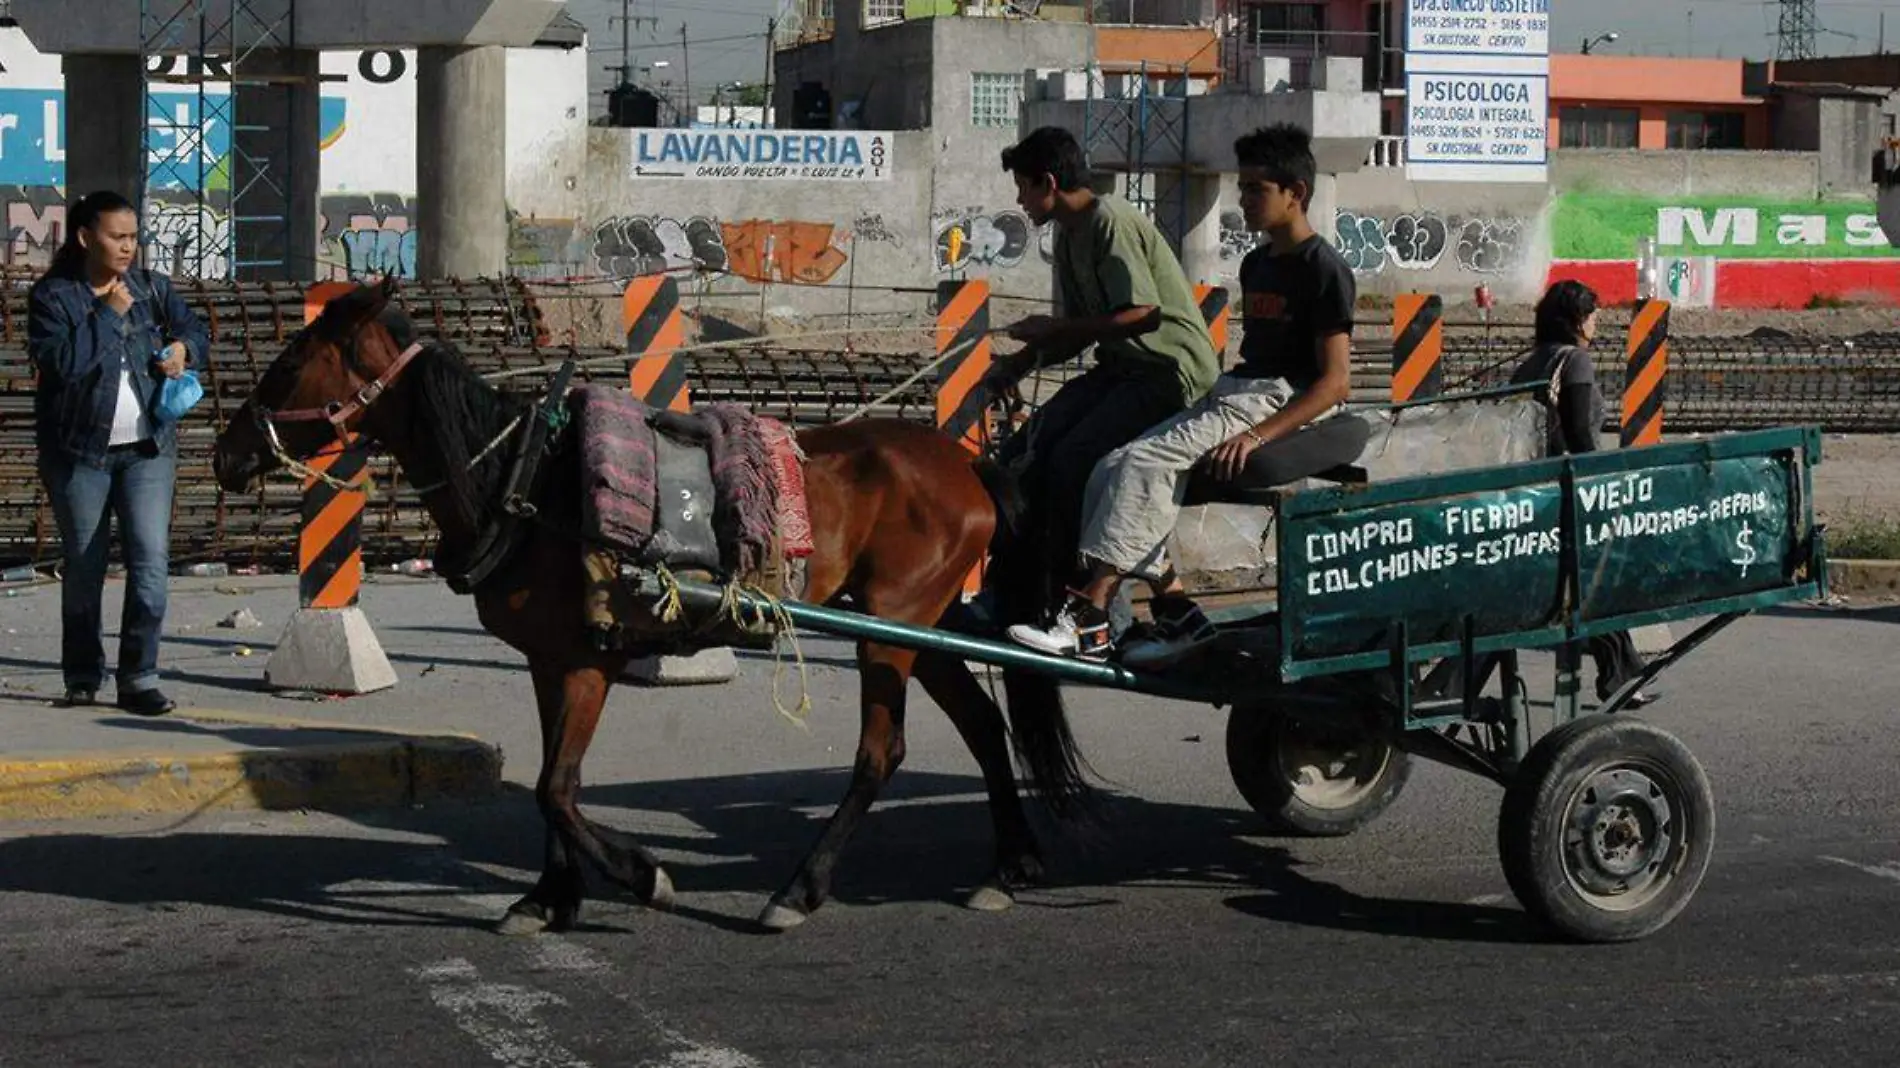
(571, 704)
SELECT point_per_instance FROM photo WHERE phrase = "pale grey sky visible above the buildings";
(725, 39)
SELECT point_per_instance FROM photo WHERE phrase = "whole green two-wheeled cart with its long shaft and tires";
(1397, 630)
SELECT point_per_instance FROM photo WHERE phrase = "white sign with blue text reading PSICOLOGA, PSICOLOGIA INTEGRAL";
(1477, 119)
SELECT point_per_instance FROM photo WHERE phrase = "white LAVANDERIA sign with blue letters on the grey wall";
(774, 155)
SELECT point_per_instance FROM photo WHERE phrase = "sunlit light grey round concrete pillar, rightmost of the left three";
(463, 162)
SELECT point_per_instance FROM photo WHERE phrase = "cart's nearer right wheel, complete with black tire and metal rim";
(1608, 830)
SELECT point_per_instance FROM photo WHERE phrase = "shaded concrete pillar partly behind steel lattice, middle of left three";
(276, 166)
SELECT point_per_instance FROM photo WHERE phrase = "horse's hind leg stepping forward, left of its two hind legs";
(884, 676)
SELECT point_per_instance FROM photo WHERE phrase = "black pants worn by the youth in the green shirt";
(1065, 440)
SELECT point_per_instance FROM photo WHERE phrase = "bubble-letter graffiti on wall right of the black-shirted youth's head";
(1422, 240)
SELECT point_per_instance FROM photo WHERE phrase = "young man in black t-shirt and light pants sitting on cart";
(1295, 370)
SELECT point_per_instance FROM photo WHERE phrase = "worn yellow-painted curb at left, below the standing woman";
(398, 771)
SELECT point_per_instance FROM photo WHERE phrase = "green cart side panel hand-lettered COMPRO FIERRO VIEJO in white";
(1644, 529)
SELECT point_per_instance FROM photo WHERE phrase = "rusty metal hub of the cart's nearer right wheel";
(1620, 837)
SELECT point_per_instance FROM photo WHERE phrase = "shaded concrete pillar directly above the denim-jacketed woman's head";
(105, 126)
